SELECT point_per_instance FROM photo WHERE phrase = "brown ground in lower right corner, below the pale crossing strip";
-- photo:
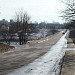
(68, 67)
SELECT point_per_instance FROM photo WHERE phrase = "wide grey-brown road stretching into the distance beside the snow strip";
(25, 54)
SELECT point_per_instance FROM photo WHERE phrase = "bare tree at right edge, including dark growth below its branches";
(69, 16)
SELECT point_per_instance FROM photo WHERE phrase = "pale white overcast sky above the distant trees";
(39, 10)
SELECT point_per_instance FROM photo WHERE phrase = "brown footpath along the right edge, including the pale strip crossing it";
(68, 67)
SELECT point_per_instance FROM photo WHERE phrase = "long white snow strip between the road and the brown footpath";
(48, 64)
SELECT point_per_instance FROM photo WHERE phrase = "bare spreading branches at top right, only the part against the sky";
(69, 13)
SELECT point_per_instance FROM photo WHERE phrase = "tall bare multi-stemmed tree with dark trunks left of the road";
(22, 19)
